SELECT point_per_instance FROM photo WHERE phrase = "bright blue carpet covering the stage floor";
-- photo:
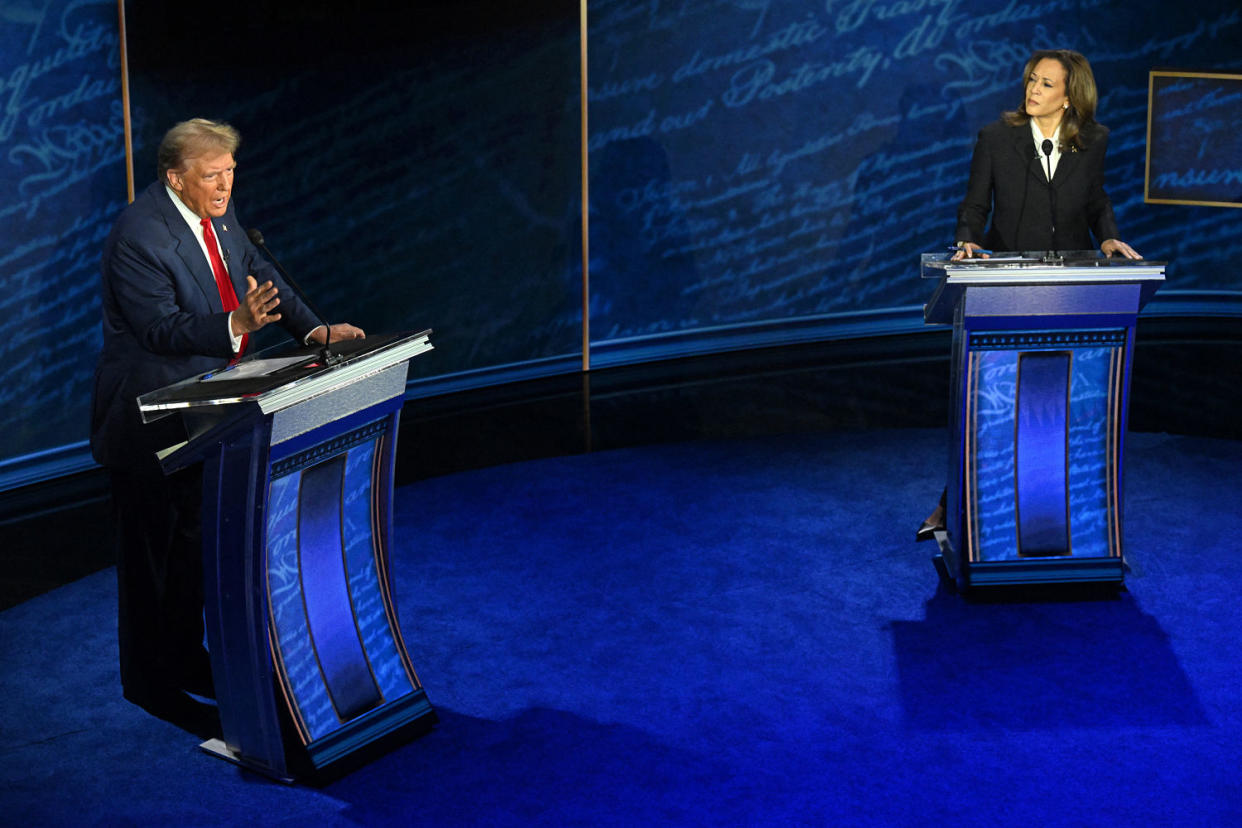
(715, 634)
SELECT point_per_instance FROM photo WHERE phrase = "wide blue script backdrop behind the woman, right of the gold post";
(758, 161)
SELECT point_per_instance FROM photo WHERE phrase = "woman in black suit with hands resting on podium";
(1009, 173)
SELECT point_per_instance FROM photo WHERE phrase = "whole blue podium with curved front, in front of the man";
(311, 672)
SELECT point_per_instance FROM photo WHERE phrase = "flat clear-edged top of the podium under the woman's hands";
(1038, 269)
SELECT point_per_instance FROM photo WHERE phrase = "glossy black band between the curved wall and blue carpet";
(60, 531)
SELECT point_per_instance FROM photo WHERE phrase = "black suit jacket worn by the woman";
(1008, 182)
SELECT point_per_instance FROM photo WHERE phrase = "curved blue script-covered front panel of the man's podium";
(336, 641)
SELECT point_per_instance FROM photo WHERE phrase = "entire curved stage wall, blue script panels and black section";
(759, 172)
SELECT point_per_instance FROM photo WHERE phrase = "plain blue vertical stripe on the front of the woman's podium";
(1041, 455)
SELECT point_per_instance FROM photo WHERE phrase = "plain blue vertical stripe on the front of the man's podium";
(330, 613)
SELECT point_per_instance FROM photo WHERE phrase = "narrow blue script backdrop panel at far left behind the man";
(64, 182)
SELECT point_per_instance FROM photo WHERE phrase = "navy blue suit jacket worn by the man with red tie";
(163, 321)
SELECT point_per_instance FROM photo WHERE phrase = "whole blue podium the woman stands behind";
(1041, 376)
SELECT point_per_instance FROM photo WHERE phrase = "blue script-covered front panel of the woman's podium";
(1041, 455)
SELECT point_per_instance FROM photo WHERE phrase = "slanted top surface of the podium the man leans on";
(276, 382)
